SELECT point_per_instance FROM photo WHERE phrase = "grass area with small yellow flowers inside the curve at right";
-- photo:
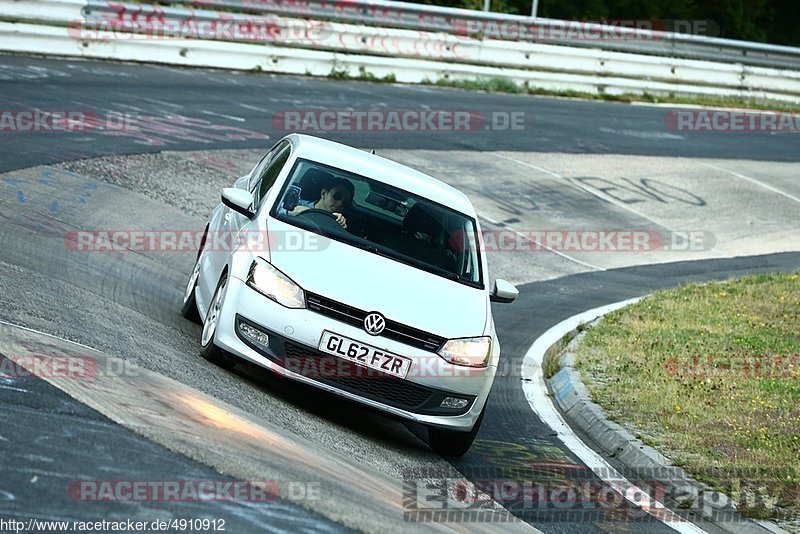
(691, 369)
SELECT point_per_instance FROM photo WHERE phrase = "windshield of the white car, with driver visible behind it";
(381, 219)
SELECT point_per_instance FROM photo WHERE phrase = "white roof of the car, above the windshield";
(380, 169)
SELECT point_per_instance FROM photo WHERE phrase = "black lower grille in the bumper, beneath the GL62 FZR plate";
(367, 383)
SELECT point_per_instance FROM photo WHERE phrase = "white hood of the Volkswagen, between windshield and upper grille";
(371, 282)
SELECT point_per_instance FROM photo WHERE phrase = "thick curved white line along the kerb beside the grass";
(535, 390)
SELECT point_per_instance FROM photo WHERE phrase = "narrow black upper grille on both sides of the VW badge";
(354, 316)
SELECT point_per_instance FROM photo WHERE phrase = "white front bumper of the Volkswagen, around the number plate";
(291, 351)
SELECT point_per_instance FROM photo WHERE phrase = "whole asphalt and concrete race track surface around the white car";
(575, 165)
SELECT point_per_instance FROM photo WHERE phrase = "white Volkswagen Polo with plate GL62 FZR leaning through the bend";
(357, 275)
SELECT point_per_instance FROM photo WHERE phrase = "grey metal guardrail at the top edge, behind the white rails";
(391, 14)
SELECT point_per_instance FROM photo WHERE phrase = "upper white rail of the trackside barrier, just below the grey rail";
(358, 39)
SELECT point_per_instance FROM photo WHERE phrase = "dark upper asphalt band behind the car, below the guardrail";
(212, 97)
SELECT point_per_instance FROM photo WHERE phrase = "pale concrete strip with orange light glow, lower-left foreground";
(208, 430)
